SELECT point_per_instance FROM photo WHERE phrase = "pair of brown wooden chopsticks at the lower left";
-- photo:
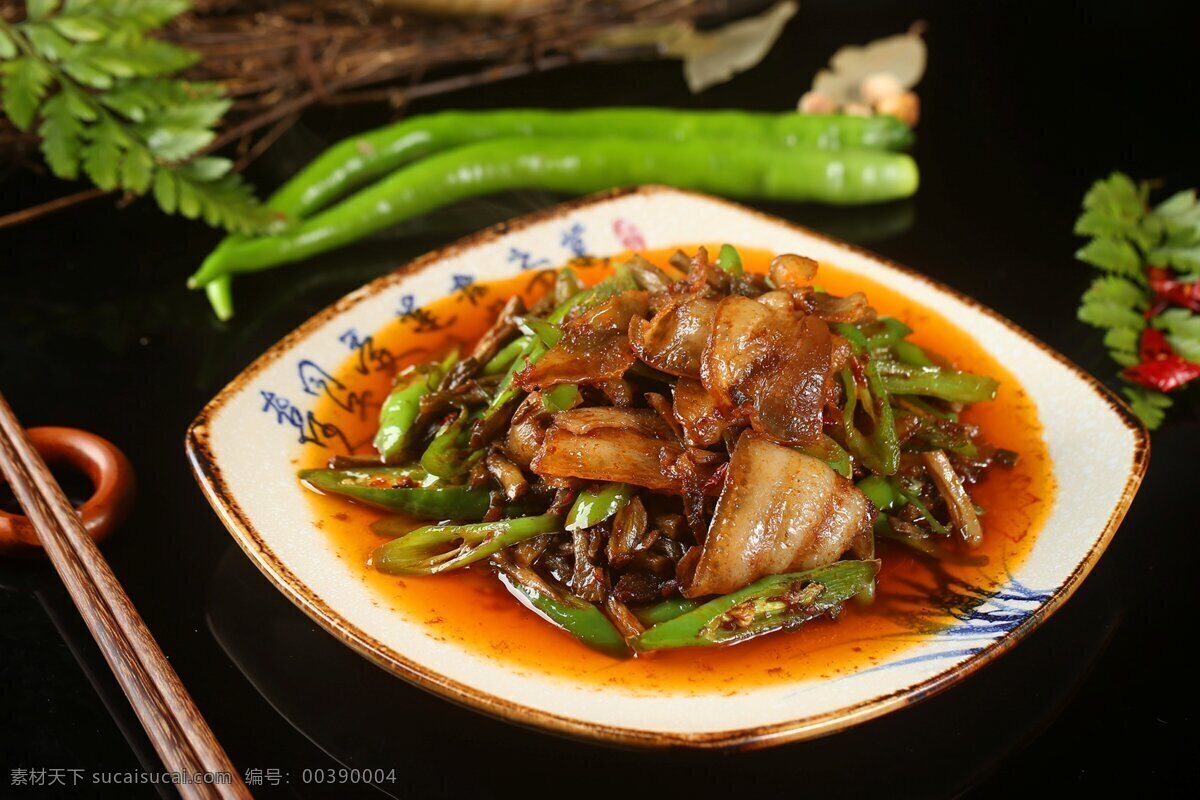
(176, 727)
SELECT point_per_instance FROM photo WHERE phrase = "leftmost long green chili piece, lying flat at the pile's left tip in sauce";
(424, 503)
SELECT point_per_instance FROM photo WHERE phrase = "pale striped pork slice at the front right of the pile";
(781, 512)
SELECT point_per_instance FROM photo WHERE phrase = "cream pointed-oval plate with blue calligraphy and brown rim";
(247, 443)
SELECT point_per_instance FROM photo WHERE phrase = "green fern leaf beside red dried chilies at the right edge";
(1127, 239)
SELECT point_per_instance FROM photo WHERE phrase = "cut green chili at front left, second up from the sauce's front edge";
(441, 549)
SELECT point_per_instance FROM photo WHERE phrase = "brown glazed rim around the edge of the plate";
(212, 483)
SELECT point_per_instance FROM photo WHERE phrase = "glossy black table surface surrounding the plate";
(1025, 104)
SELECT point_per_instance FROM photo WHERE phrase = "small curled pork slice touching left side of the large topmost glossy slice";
(675, 340)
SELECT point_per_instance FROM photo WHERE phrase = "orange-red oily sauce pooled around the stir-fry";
(471, 607)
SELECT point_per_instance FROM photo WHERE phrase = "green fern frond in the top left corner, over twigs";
(100, 92)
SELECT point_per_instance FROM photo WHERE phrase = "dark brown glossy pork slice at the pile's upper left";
(595, 347)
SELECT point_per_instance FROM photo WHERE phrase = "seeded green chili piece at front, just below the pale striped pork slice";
(773, 604)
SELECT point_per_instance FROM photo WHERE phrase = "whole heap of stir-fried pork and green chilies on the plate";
(679, 456)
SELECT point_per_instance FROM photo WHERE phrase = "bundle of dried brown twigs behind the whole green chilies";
(277, 58)
